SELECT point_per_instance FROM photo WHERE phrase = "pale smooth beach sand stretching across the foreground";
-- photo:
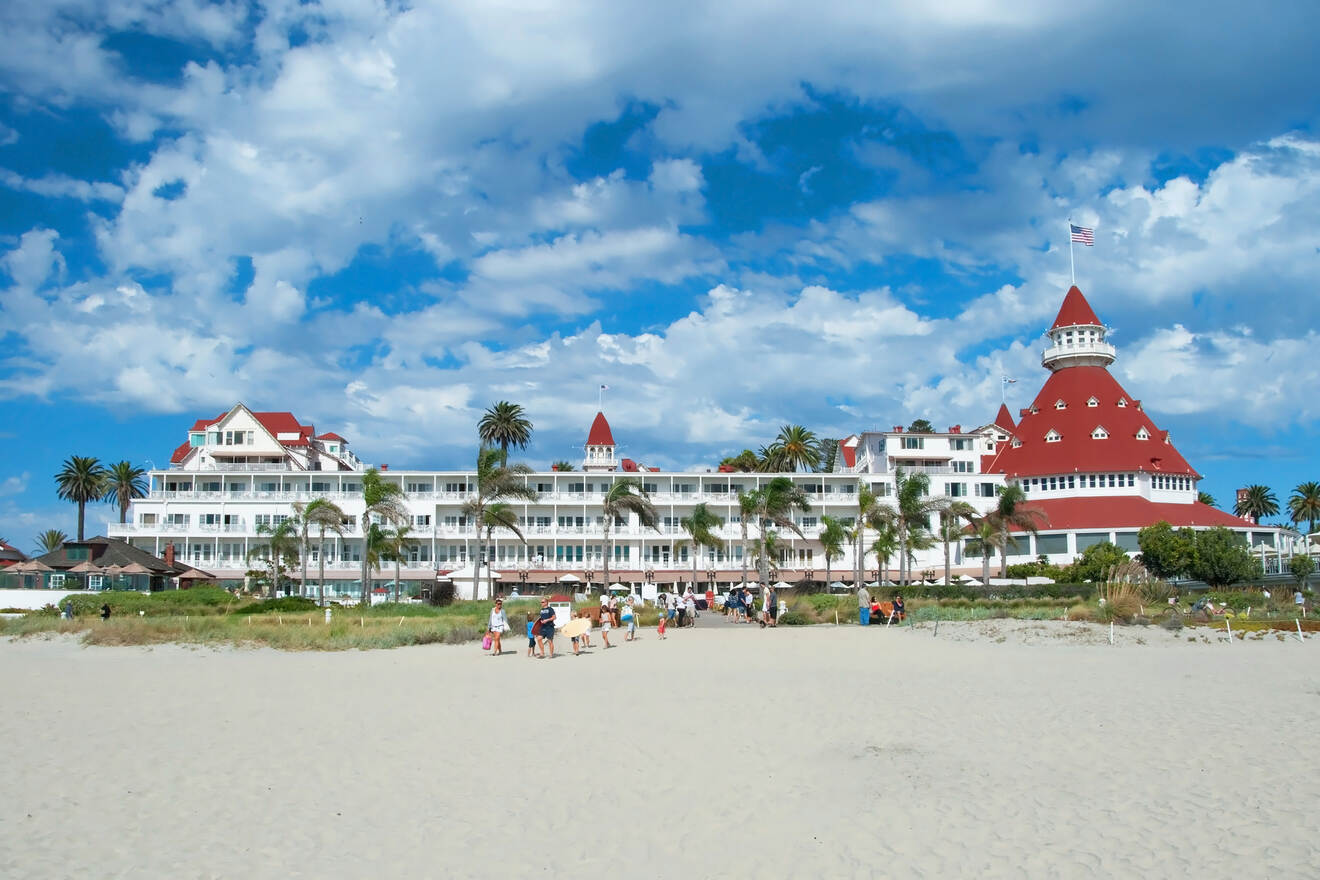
(723, 753)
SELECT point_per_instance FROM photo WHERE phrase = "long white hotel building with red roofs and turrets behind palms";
(1086, 453)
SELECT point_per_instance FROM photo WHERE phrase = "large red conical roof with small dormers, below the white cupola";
(1076, 451)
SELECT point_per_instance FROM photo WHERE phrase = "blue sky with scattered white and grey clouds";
(386, 217)
